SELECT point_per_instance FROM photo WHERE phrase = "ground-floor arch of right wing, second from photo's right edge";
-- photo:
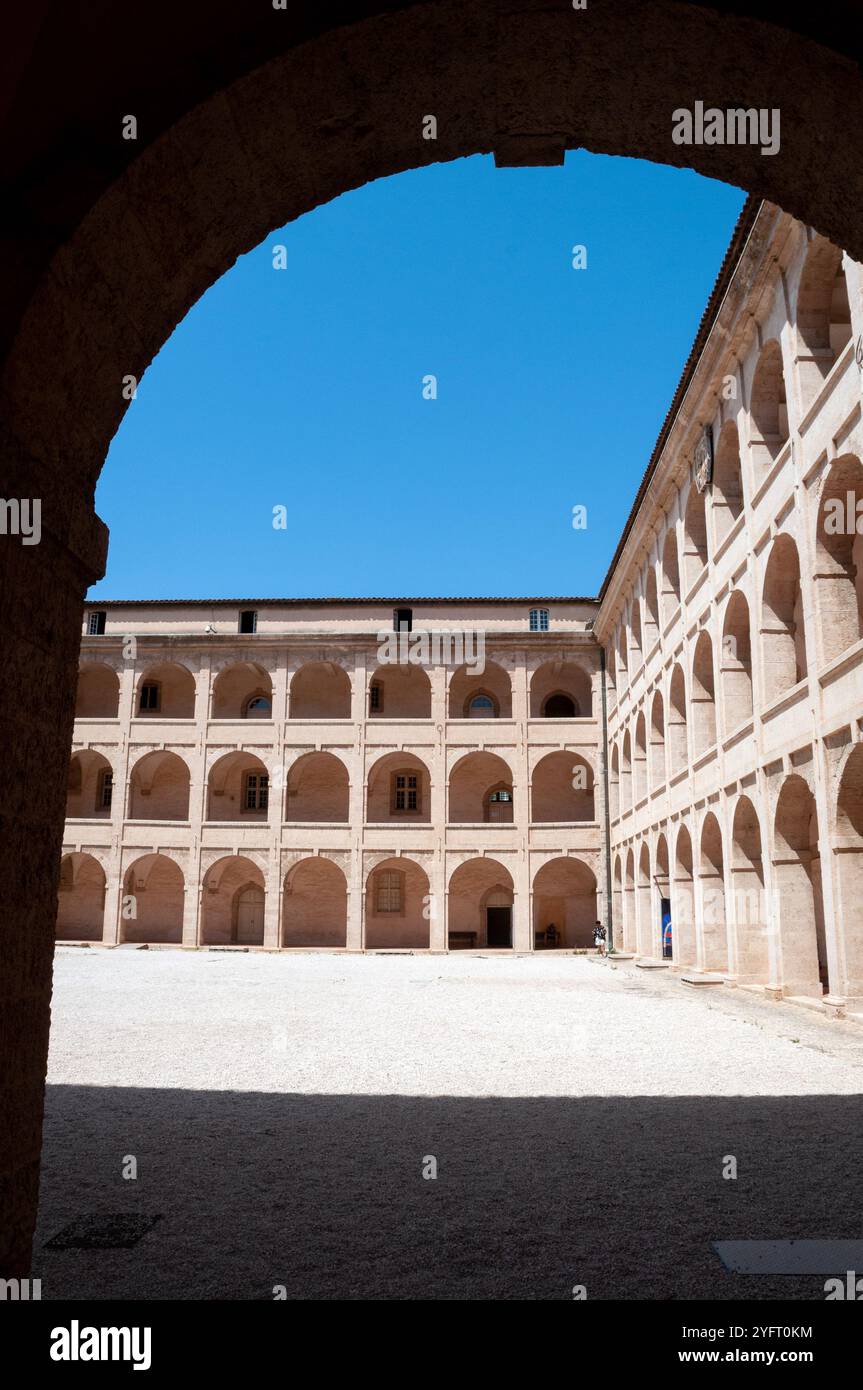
(797, 872)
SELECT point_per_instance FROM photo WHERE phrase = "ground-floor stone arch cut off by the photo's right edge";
(848, 858)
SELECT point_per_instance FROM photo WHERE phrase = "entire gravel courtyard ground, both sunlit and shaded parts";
(281, 1110)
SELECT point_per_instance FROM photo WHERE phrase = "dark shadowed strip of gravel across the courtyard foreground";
(326, 1196)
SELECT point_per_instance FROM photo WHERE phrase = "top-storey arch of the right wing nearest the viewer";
(823, 316)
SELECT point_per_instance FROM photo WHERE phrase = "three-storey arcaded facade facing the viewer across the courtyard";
(337, 775)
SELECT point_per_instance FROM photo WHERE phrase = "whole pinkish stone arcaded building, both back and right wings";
(254, 774)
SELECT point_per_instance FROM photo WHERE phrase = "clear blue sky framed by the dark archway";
(304, 389)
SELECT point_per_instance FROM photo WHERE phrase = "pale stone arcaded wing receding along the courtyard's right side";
(733, 626)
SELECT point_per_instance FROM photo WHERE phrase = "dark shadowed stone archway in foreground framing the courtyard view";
(249, 117)
